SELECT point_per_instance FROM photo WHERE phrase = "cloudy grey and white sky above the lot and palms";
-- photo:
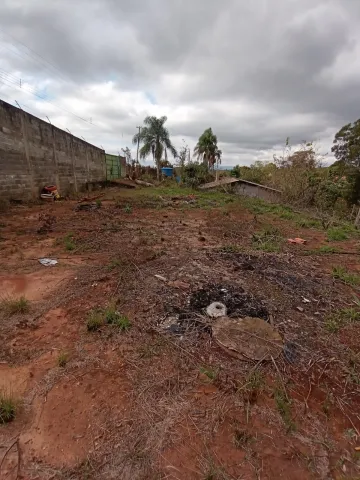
(256, 72)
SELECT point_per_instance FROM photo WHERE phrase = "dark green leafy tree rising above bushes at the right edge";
(347, 144)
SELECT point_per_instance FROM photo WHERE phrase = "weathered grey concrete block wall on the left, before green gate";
(34, 153)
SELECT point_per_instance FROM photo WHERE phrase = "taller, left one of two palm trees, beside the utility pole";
(155, 139)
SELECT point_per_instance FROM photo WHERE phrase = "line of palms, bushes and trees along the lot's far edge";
(300, 174)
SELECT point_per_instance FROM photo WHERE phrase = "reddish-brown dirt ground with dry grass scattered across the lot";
(149, 403)
